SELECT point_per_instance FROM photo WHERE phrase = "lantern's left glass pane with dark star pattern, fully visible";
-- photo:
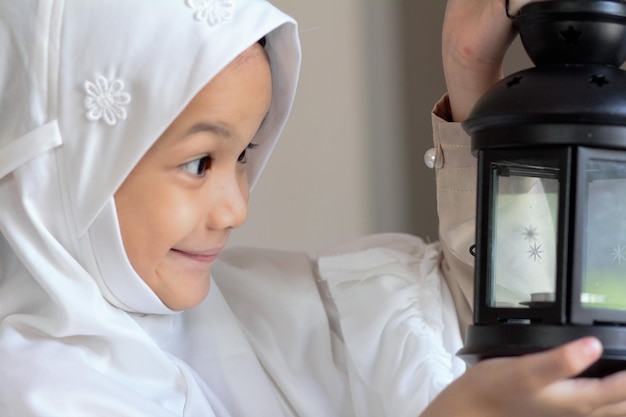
(523, 234)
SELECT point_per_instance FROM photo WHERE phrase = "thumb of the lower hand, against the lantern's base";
(569, 360)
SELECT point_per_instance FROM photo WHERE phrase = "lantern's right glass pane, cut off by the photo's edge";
(604, 271)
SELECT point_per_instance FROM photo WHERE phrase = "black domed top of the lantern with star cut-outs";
(576, 94)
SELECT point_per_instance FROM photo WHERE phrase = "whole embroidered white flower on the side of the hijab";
(106, 100)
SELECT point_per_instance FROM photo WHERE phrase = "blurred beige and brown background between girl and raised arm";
(350, 161)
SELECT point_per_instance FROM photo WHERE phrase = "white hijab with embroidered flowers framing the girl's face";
(86, 87)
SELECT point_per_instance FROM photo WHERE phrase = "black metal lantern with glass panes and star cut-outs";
(551, 208)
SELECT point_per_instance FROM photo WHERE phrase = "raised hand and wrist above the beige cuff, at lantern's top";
(476, 36)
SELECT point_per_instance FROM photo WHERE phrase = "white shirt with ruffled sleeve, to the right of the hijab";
(367, 329)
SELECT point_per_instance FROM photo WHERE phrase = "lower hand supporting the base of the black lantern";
(538, 385)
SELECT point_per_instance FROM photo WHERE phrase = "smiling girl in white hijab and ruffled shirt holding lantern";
(130, 134)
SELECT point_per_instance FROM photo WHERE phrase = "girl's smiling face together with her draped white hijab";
(127, 131)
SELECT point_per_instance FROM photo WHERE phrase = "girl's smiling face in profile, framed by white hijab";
(178, 205)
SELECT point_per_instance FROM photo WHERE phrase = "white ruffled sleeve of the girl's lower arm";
(397, 321)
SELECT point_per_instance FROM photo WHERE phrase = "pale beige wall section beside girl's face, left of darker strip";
(314, 190)
